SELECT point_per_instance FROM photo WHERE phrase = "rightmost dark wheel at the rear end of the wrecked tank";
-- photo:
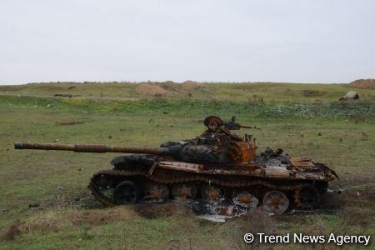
(307, 197)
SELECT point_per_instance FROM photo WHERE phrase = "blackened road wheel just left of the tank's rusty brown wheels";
(126, 192)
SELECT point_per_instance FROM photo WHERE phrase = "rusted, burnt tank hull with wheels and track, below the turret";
(278, 186)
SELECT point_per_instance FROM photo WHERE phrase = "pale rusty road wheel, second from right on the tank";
(275, 201)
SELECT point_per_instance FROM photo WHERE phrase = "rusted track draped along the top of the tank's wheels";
(99, 195)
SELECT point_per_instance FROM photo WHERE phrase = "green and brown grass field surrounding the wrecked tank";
(45, 203)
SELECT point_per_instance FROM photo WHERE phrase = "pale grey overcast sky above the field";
(324, 41)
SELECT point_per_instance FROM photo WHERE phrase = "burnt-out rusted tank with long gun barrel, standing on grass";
(217, 165)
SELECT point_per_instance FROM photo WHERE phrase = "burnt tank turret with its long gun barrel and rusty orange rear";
(216, 145)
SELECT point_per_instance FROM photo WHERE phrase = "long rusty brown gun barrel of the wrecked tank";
(91, 148)
